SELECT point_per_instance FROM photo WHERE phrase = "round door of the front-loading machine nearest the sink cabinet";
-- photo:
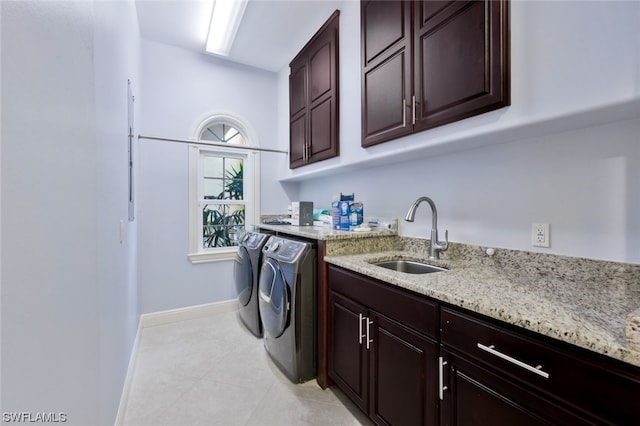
(274, 299)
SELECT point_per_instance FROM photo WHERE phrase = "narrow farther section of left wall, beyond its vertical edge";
(116, 61)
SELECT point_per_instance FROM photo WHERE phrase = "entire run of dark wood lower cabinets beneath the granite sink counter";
(406, 359)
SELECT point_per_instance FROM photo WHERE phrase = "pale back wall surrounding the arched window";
(180, 89)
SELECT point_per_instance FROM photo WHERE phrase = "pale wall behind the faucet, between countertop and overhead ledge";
(585, 183)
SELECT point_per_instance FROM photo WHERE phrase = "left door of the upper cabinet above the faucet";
(386, 70)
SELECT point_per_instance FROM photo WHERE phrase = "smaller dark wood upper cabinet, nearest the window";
(313, 98)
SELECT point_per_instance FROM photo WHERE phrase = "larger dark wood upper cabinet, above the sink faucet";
(429, 63)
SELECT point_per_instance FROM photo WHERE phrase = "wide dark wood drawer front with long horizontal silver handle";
(597, 386)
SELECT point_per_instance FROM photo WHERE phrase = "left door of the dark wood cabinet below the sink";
(348, 358)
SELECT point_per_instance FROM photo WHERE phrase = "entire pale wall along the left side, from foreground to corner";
(69, 307)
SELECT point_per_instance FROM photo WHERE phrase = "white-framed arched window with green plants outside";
(223, 196)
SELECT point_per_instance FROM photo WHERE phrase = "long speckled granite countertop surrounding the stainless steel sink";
(591, 304)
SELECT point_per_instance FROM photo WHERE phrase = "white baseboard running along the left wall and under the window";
(166, 317)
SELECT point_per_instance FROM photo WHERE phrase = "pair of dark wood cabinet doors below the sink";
(386, 368)
